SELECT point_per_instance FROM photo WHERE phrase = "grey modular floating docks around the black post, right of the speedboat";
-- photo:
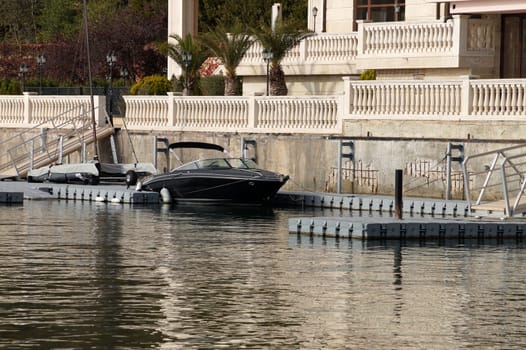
(423, 219)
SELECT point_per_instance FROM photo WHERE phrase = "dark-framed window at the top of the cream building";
(380, 10)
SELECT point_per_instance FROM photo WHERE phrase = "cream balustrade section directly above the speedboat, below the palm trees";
(256, 114)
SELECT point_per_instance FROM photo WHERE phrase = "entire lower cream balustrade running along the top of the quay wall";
(464, 99)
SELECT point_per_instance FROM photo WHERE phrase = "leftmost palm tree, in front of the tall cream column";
(189, 54)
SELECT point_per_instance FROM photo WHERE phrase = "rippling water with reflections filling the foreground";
(112, 276)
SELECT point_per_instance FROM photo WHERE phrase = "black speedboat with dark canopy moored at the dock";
(221, 180)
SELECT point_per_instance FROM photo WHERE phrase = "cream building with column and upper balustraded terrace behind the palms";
(400, 39)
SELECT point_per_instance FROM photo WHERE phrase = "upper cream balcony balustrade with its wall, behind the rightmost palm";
(387, 46)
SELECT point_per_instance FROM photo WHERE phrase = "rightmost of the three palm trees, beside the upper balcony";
(279, 42)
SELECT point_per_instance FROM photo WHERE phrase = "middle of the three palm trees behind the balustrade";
(230, 49)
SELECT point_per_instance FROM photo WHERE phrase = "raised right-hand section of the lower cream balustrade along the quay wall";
(495, 99)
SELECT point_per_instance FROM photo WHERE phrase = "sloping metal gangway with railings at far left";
(48, 142)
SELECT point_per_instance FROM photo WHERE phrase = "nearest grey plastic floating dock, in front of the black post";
(370, 228)
